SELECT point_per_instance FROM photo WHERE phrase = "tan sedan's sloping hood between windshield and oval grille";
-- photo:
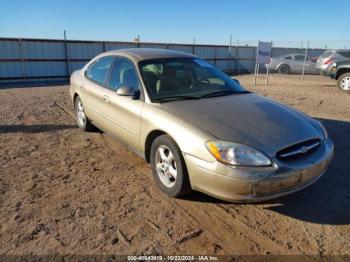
(247, 119)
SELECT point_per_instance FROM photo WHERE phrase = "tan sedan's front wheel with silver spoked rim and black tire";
(166, 159)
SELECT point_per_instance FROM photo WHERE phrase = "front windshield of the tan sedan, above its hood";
(185, 78)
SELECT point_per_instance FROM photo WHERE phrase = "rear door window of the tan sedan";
(98, 71)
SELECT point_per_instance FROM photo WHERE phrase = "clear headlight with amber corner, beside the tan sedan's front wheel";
(237, 154)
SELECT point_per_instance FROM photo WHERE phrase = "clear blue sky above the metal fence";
(323, 22)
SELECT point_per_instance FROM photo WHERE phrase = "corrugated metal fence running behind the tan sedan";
(52, 59)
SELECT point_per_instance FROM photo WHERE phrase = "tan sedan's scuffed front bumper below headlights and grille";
(253, 184)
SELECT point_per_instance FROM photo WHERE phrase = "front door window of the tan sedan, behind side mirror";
(123, 74)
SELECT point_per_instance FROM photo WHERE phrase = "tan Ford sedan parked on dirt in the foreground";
(197, 127)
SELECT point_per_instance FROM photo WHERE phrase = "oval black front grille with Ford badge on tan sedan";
(299, 150)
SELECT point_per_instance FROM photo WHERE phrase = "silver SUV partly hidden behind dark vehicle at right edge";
(325, 61)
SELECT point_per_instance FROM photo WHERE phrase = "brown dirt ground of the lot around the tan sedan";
(68, 192)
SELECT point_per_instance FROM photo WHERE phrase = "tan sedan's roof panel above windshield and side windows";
(139, 54)
